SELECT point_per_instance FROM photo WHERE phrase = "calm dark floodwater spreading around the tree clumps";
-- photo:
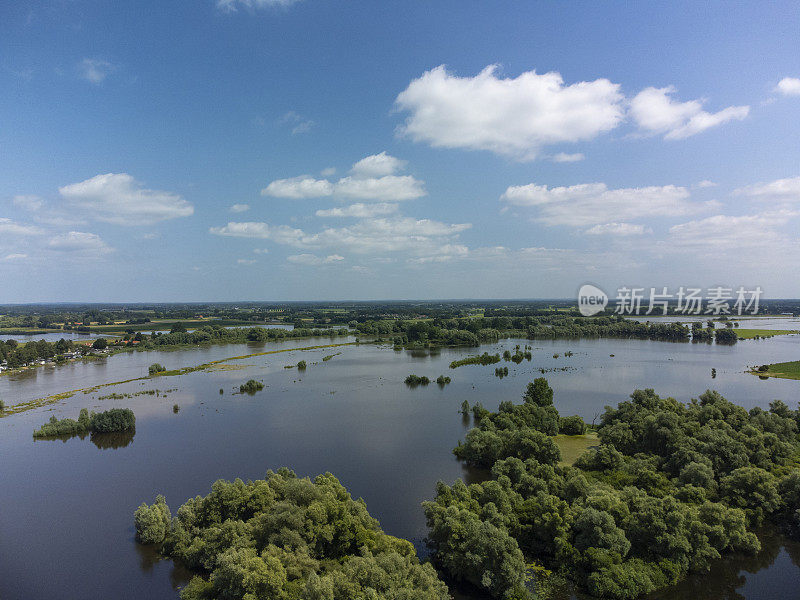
(66, 506)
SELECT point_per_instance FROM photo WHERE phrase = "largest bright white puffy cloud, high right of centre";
(514, 117)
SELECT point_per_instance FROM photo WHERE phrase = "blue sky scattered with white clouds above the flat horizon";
(278, 150)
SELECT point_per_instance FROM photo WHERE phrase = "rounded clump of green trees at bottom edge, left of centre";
(286, 538)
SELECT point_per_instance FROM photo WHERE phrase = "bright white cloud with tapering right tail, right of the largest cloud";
(655, 112)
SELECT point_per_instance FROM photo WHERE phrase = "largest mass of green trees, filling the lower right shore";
(670, 488)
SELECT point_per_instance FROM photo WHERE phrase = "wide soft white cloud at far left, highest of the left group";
(118, 198)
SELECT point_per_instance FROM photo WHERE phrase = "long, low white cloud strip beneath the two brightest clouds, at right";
(590, 204)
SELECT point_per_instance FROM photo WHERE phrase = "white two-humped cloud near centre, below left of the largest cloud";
(371, 178)
